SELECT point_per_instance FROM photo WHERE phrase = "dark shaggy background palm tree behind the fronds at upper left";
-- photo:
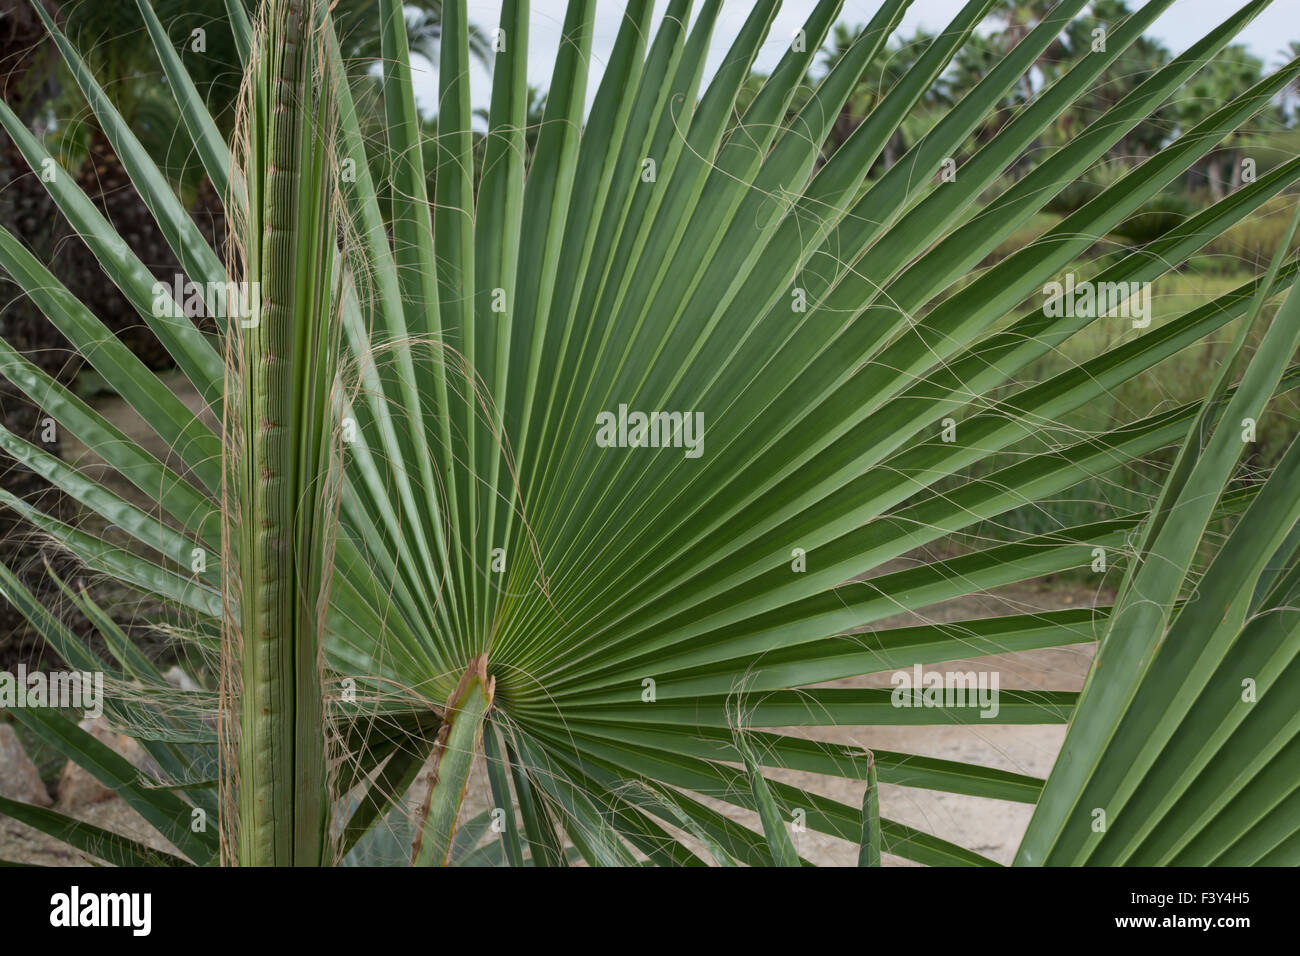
(118, 46)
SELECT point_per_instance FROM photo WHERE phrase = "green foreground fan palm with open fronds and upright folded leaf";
(630, 631)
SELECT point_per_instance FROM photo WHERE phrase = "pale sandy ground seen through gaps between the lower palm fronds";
(993, 828)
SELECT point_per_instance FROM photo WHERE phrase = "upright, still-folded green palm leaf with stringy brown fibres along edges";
(287, 469)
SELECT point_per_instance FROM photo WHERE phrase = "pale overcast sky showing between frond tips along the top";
(1184, 24)
